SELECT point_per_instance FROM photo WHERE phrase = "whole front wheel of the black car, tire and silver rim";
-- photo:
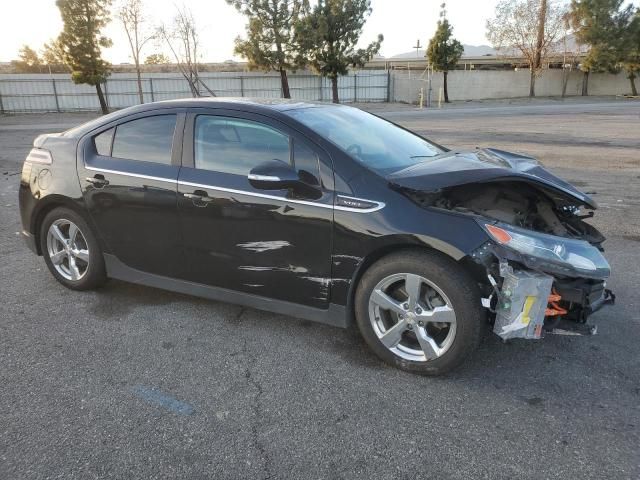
(446, 292)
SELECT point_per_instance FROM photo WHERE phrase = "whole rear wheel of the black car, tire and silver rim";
(81, 265)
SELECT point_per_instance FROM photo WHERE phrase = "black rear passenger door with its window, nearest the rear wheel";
(129, 179)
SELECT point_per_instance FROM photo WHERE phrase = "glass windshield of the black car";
(374, 142)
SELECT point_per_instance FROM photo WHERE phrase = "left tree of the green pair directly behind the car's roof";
(270, 35)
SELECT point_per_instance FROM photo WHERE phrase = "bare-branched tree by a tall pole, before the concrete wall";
(530, 27)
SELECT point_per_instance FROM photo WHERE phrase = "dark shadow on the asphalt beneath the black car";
(502, 363)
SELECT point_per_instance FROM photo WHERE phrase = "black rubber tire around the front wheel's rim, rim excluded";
(456, 284)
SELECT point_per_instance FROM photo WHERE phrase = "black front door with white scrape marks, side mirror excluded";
(275, 244)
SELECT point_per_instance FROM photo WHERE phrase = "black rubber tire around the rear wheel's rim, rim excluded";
(95, 275)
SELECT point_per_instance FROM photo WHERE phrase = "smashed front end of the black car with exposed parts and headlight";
(543, 262)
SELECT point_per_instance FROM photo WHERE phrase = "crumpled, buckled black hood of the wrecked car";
(482, 166)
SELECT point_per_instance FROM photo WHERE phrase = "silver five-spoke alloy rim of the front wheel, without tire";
(412, 317)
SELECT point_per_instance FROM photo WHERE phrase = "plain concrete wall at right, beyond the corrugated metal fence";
(479, 84)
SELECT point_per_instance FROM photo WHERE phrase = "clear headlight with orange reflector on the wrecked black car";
(550, 253)
